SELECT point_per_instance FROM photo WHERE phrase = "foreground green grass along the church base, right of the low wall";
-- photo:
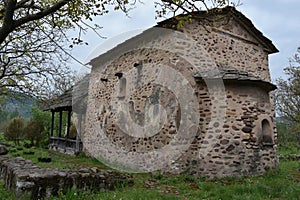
(283, 183)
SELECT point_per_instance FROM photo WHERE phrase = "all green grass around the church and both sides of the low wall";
(283, 183)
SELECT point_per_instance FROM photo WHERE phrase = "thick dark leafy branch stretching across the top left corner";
(63, 13)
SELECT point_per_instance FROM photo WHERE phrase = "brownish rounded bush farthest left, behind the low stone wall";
(14, 130)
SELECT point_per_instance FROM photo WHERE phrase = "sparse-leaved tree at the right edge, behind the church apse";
(287, 96)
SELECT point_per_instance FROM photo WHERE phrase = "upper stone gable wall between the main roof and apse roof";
(231, 46)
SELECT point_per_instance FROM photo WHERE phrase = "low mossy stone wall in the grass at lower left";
(29, 181)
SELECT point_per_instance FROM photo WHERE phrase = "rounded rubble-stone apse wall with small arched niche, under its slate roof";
(236, 145)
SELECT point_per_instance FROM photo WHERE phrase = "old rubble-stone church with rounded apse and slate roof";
(189, 95)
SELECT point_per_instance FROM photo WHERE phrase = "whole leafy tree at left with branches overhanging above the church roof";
(33, 42)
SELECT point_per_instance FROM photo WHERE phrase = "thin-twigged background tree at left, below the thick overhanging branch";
(30, 63)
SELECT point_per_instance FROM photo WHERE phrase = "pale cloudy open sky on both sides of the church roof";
(278, 20)
